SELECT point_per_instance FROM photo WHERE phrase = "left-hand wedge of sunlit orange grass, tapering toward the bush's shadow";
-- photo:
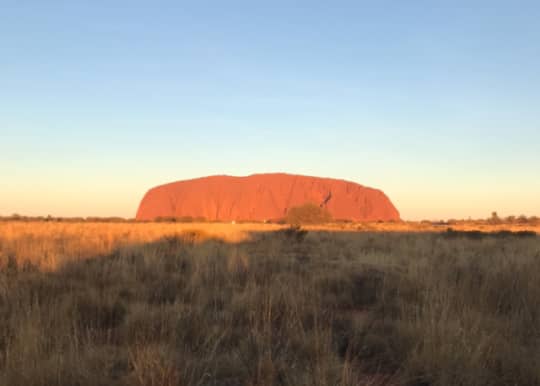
(50, 244)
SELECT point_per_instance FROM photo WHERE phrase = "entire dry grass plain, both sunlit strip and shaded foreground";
(256, 304)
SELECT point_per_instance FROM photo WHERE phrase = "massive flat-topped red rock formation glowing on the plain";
(262, 197)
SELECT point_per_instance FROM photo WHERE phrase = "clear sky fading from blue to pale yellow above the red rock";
(437, 103)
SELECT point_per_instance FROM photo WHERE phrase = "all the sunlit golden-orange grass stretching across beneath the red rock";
(48, 244)
